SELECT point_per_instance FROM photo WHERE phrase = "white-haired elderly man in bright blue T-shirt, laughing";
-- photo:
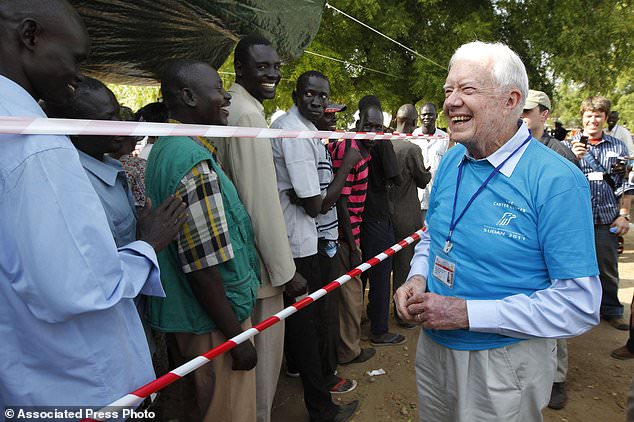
(507, 264)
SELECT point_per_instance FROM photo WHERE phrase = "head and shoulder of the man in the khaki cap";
(536, 112)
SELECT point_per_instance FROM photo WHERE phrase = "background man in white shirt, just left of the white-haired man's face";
(433, 148)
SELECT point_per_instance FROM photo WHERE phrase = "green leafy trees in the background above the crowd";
(571, 49)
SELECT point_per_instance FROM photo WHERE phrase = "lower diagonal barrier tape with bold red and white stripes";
(136, 397)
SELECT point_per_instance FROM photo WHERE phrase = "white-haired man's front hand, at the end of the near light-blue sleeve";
(438, 312)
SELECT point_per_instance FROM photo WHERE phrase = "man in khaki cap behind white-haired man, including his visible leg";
(536, 111)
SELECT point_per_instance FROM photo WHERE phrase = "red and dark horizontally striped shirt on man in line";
(356, 184)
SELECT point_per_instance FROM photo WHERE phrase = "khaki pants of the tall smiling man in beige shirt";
(270, 347)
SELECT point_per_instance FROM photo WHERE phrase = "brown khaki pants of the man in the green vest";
(221, 394)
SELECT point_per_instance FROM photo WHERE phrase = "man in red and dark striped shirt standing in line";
(349, 210)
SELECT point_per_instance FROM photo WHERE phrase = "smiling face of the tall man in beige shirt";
(261, 72)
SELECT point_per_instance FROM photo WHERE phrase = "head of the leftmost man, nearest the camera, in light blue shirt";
(42, 43)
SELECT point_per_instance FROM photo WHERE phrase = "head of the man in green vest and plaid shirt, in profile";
(193, 93)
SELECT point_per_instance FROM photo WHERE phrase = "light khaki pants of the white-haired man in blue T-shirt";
(505, 384)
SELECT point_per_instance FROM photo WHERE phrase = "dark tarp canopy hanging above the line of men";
(131, 40)
